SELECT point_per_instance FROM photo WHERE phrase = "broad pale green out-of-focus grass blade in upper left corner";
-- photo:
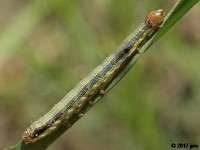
(21, 27)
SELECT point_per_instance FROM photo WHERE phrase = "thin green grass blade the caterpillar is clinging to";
(180, 9)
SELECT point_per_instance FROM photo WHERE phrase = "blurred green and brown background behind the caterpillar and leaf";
(47, 47)
